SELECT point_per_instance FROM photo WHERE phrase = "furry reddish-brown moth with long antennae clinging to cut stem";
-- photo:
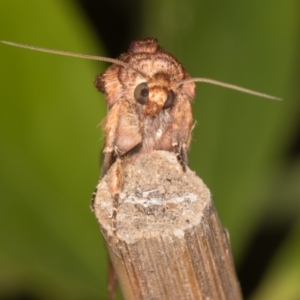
(149, 94)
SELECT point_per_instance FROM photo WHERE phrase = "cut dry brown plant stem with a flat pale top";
(169, 242)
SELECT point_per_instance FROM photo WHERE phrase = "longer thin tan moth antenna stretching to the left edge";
(84, 56)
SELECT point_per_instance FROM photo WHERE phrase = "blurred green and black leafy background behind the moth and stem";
(246, 149)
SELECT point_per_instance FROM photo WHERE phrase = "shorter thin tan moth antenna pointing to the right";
(229, 86)
